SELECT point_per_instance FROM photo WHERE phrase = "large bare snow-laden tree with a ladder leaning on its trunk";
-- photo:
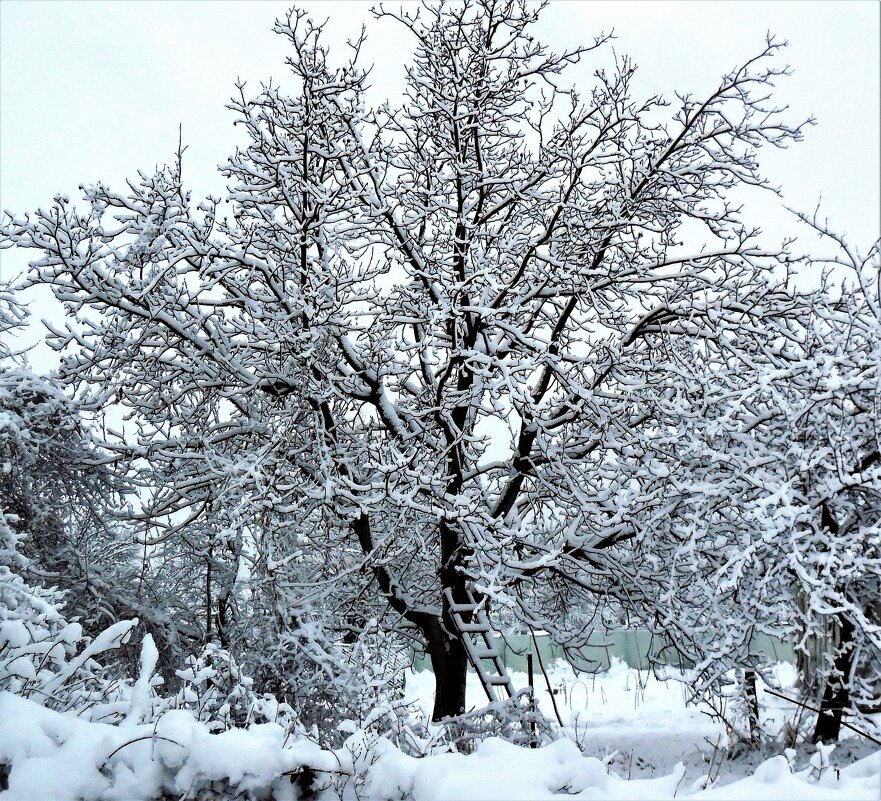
(424, 324)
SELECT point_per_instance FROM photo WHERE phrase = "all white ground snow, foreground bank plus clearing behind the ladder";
(629, 736)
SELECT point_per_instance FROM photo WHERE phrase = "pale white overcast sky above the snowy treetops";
(96, 90)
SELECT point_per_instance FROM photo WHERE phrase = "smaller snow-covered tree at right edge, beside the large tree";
(756, 510)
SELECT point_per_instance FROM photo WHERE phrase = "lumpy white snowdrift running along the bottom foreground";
(50, 755)
